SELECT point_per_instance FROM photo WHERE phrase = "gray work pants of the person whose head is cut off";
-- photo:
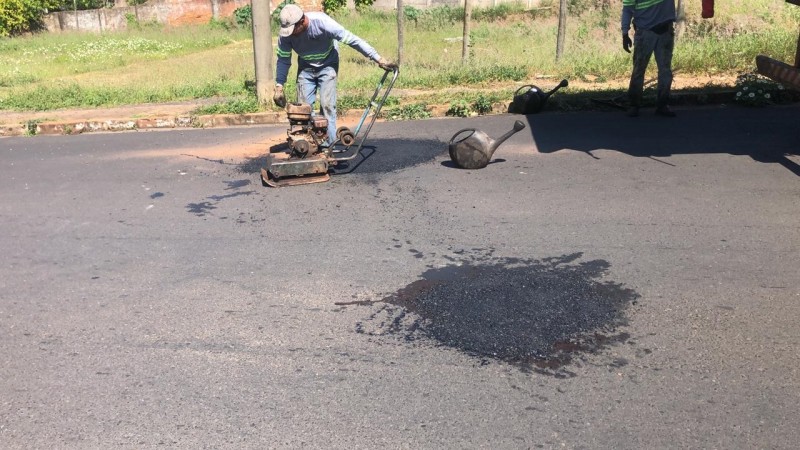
(645, 44)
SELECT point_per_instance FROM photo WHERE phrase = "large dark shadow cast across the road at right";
(767, 135)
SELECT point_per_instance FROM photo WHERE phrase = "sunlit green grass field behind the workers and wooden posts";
(509, 47)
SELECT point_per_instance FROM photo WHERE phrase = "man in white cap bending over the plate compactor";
(315, 37)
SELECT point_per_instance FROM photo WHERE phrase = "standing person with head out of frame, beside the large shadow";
(654, 32)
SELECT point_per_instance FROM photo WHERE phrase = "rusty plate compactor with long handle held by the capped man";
(306, 158)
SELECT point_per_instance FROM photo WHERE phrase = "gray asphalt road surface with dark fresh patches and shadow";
(605, 282)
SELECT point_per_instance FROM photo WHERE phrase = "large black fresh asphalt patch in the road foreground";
(536, 314)
